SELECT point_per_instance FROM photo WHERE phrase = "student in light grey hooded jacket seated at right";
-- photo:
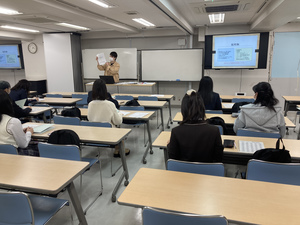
(263, 115)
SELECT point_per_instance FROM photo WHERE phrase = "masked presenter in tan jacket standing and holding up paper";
(110, 68)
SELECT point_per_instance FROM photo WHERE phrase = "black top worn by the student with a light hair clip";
(196, 143)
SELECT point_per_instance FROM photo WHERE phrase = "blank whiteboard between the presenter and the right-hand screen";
(172, 65)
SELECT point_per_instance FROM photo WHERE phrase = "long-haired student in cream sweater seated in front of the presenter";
(102, 110)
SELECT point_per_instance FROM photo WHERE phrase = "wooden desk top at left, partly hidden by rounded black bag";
(99, 135)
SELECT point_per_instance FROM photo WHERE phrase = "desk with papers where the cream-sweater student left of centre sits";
(146, 118)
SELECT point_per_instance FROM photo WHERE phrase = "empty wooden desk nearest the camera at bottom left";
(43, 176)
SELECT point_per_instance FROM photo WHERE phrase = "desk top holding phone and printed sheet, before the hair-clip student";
(290, 144)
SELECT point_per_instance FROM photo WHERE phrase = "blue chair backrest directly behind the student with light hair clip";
(215, 169)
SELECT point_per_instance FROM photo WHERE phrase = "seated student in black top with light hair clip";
(194, 139)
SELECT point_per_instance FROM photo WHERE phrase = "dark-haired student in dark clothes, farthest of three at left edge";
(21, 91)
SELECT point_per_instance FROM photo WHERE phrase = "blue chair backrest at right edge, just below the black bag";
(283, 173)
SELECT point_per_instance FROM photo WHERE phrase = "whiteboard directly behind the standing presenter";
(127, 58)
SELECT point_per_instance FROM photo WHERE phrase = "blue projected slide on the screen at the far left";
(9, 56)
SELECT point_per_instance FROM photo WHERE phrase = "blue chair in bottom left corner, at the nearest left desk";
(20, 208)
